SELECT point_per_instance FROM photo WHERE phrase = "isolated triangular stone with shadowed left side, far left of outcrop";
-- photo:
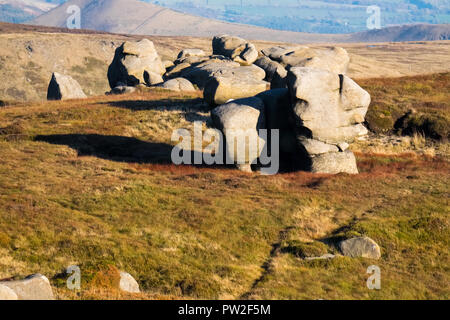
(63, 87)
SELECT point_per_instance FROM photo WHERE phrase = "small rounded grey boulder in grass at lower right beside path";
(360, 247)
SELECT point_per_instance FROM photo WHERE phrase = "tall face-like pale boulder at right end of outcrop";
(328, 111)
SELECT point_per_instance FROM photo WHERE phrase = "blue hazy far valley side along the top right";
(325, 16)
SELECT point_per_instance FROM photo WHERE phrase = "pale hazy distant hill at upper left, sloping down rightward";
(136, 17)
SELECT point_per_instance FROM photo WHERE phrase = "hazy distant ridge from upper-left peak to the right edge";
(140, 18)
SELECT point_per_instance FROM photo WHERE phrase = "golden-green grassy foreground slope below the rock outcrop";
(89, 182)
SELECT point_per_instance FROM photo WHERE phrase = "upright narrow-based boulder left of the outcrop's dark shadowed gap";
(239, 122)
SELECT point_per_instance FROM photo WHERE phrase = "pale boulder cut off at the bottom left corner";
(34, 287)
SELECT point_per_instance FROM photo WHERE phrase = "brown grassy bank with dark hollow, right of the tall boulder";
(428, 96)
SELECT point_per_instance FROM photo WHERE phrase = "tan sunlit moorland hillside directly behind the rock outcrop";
(30, 54)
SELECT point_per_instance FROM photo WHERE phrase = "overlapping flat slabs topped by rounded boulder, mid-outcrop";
(230, 73)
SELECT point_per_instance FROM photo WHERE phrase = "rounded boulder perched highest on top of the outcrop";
(236, 48)
